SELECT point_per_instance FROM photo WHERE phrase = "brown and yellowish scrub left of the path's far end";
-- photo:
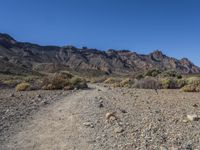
(57, 81)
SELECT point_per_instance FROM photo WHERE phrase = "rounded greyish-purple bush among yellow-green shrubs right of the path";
(147, 83)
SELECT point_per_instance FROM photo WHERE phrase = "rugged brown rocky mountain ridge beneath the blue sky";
(17, 57)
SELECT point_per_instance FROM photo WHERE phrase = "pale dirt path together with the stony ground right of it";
(144, 121)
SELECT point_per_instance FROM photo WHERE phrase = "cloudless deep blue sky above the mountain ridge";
(172, 26)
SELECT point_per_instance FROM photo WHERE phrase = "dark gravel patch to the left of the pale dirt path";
(16, 107)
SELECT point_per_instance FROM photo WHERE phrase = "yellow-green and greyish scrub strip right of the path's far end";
(156, 79)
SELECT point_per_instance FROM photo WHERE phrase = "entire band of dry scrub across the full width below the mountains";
(64, 80)
